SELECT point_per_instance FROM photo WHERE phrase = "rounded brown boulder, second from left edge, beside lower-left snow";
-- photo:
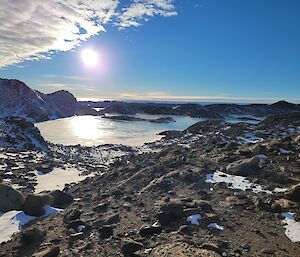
(34, 204)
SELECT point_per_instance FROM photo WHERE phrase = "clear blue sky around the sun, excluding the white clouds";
(233, 50)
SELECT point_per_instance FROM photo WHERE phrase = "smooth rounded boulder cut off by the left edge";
(10, 199)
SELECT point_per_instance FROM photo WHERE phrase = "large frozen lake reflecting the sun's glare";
(93, 130)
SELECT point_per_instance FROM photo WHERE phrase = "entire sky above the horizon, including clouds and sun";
(181, 50)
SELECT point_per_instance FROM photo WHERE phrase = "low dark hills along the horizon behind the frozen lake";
(215, 111)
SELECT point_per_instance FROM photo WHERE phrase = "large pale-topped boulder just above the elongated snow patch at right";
(244, 167)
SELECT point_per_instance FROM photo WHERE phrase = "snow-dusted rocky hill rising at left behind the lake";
(17, 99)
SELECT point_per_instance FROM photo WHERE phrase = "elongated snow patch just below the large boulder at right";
(234, 182)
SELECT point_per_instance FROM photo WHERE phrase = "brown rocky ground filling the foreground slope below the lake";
(215, 189)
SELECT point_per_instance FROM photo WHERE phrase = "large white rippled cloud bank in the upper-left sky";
(33, 29)
